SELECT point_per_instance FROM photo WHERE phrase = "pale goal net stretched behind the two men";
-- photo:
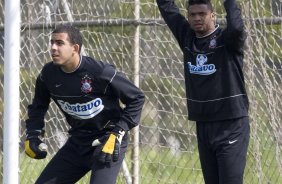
(132, 35)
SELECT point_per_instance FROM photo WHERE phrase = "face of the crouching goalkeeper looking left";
(62, 51)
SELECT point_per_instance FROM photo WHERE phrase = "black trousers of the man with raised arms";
(223, 148)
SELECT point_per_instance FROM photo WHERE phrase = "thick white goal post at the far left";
(11, 92)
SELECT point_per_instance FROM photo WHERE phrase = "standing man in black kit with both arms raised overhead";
(215, 87)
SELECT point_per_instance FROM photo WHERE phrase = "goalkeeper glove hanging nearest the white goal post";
(34, 146)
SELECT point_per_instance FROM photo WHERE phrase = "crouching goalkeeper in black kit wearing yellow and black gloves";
(88, 92)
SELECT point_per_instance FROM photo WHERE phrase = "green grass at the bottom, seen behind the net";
(159, 166)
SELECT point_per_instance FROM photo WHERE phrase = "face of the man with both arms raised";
(201, 19)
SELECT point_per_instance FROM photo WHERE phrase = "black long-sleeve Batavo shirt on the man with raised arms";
(214, 80)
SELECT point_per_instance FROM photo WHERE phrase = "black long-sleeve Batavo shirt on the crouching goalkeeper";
(89, 97)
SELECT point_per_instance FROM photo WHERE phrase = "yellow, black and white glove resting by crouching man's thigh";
(110, 144)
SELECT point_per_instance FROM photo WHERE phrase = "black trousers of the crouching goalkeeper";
(73, 161)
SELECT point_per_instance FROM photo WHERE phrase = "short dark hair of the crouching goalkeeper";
(73, 33)
